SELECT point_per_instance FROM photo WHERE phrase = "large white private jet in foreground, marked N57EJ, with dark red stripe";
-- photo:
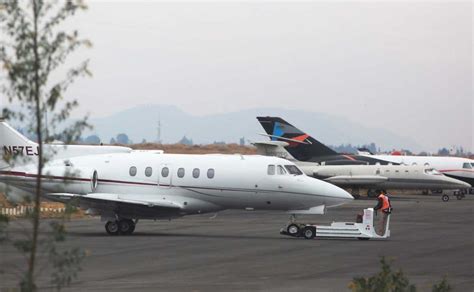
(124, 185)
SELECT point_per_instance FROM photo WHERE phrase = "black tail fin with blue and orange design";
(301, 145)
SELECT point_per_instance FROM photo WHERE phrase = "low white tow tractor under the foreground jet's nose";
(362, 229)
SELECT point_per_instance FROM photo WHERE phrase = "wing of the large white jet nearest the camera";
(127, 204)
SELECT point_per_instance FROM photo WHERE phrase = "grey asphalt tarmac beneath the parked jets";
(243, 251)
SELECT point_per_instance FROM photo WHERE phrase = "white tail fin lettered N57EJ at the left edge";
(14, 144)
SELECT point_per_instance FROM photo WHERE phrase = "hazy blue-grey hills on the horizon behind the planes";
(141, 123)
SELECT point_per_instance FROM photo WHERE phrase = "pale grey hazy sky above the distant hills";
(402, 66)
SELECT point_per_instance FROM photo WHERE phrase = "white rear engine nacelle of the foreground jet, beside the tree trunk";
(69, 179)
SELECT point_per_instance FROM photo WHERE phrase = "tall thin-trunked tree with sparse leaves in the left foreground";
(33, 46)
